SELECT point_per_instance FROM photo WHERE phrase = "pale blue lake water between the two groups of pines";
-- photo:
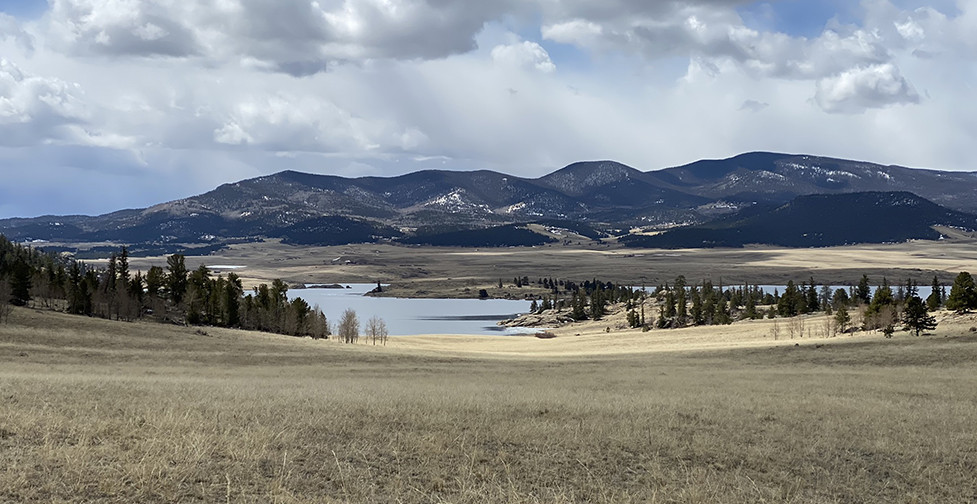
(405, 317)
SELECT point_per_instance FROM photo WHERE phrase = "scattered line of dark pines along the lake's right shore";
(684, 304)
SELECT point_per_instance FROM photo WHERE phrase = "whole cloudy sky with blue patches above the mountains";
(112, 104)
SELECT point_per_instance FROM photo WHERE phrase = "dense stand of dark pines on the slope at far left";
(30, 277)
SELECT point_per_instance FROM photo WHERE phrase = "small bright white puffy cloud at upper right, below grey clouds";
(863, 88)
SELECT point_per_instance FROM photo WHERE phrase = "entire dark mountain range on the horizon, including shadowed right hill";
(751, 191)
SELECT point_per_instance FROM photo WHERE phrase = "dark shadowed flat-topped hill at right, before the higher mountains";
(819, 220)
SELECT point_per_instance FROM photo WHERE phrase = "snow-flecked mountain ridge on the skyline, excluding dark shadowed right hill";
(605, 194)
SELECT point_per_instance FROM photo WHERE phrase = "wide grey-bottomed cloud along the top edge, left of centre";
(297, 37)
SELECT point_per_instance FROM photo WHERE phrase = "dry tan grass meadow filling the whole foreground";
(98, 411)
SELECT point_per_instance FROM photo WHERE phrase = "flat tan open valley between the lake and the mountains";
(460, 272)
